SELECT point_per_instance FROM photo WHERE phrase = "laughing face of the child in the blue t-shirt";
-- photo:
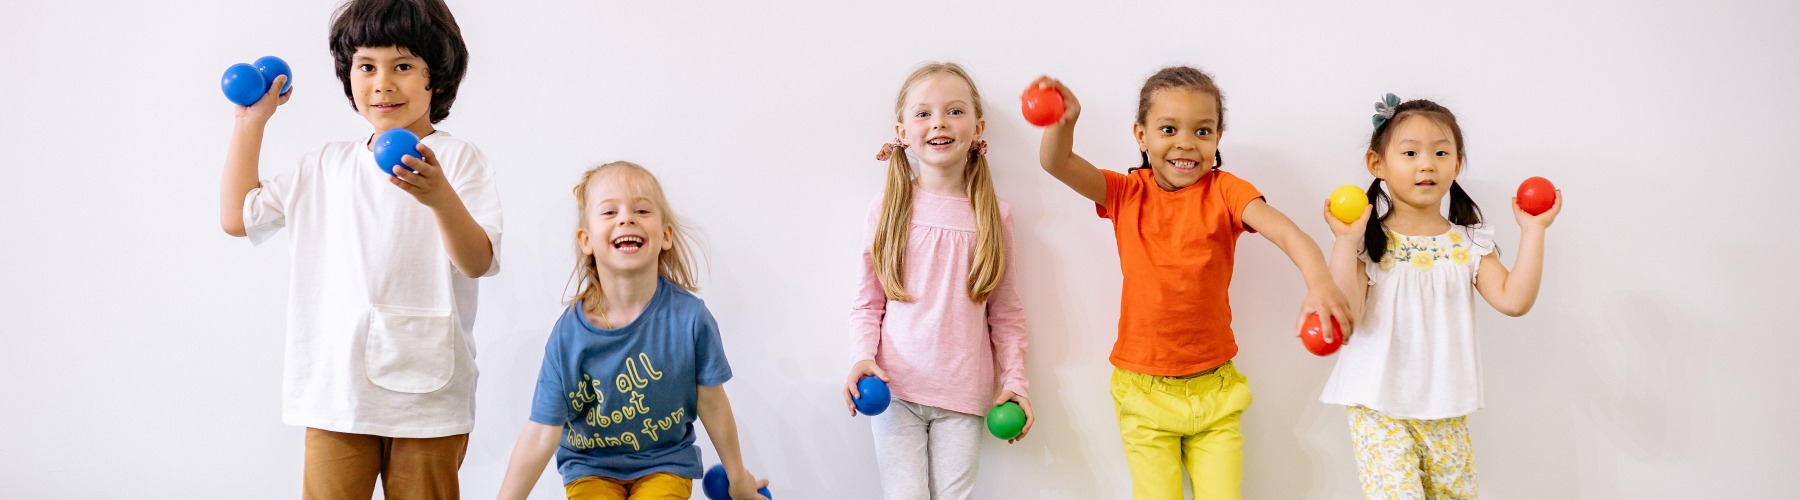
(624, 228)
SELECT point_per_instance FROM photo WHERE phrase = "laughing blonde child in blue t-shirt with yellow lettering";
(633, 361)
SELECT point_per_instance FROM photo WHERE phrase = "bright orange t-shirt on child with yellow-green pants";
(1176, 253)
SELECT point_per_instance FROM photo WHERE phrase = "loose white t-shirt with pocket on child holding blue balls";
(379, 317)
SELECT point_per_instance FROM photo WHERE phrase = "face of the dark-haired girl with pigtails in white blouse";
(1419, 161)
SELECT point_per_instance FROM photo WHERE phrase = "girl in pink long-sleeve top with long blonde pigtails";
(937, 308)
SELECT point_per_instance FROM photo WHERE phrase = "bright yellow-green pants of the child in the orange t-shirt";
(1183, 424)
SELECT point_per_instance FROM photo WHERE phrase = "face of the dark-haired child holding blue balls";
(390, 87)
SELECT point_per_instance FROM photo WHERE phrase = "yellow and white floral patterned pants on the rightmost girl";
(1412, 460)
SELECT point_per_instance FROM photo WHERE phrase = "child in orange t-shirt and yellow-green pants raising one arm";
(1176, 220)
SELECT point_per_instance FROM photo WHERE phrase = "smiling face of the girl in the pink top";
(940, 120)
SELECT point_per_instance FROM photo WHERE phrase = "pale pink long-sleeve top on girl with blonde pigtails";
(942, 350)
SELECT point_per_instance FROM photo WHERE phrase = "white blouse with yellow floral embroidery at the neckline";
(1414, 355)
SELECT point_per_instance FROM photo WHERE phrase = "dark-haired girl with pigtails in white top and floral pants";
(1412, 377)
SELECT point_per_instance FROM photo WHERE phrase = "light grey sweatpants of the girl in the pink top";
(928, 452)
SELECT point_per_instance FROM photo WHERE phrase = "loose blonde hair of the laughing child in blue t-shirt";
(678, 265)
